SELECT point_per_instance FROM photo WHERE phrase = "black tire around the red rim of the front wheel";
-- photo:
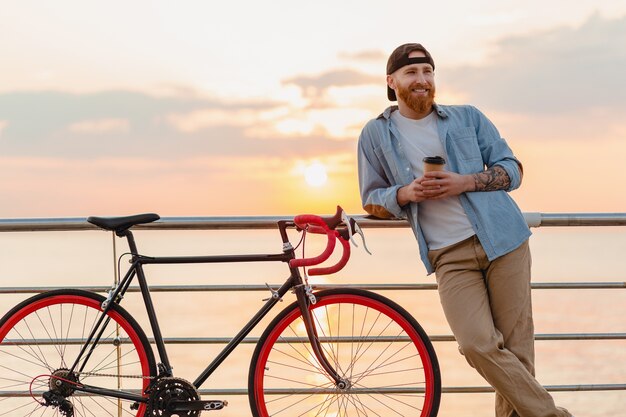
(425, 340)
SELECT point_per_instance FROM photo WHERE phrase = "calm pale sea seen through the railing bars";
(560, 254)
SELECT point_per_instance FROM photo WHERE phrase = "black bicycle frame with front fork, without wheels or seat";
(294, 281)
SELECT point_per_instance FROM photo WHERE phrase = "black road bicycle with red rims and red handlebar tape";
(335, 352)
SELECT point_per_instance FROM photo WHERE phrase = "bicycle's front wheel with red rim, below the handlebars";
(375, 345)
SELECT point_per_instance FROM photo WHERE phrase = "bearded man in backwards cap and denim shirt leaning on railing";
(470, 232)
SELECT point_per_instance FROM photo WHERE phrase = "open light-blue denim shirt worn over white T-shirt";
(472, 143)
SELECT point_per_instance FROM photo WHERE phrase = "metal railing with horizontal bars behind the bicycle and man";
(269, 222)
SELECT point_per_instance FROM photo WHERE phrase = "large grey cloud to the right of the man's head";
(555, 71)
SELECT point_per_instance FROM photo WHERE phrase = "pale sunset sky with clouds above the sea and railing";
(202, 108)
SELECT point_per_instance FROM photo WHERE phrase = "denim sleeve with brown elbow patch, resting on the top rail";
(378, 194)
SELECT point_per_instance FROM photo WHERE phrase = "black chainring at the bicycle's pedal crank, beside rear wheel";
(166, 390)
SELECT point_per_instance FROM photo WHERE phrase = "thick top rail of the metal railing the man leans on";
(533, 219)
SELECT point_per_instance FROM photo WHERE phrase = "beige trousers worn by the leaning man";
(488, 306)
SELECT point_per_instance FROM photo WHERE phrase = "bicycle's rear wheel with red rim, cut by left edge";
(40, 339)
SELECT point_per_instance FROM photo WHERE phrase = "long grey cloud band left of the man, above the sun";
(126, 124)
